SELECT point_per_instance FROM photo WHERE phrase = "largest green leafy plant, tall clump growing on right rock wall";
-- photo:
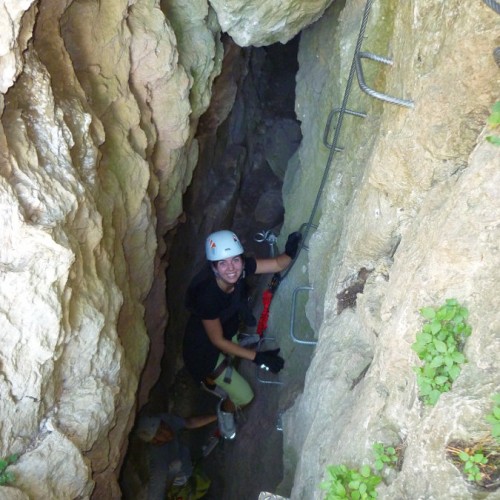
(439, 346)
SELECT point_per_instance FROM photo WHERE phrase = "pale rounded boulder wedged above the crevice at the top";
(260, 23)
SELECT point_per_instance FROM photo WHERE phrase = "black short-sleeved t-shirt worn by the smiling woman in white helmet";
(206, 300)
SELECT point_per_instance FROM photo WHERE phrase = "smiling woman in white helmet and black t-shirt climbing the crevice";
(218, 303)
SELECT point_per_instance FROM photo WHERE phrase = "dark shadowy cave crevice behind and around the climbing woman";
(246, 139)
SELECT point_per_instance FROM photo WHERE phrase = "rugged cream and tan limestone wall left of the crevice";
(96, 136)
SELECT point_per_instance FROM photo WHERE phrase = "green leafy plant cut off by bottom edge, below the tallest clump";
(350, 483)
